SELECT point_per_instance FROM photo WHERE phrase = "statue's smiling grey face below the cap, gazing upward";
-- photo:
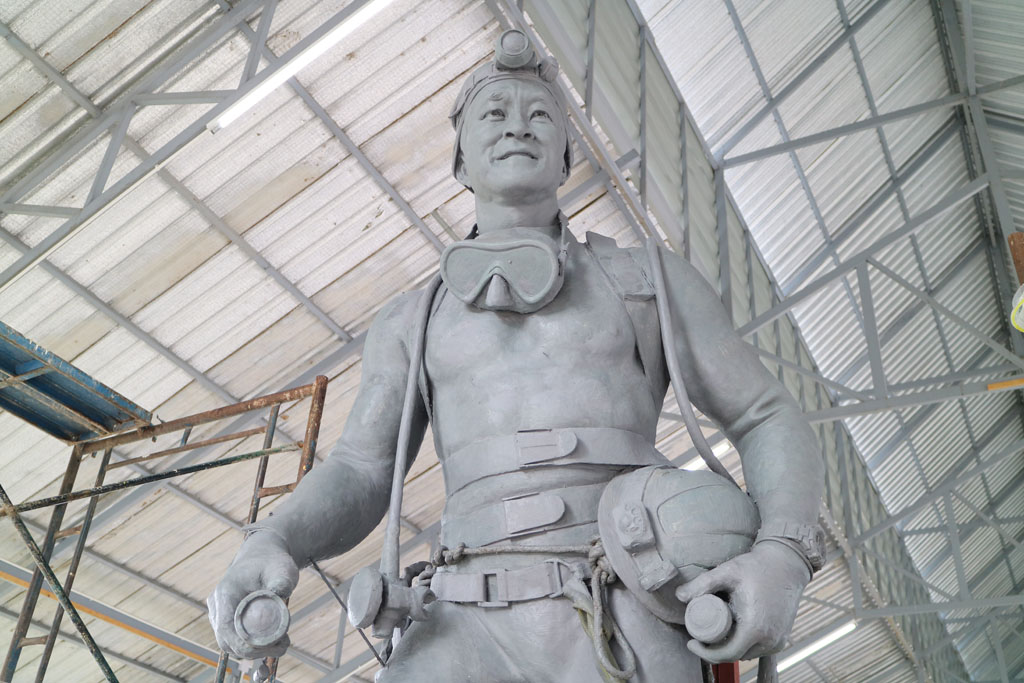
(514, 144)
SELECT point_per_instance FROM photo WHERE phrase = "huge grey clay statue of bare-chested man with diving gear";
(575, 547)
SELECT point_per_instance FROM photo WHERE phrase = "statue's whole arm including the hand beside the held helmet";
(782, 459)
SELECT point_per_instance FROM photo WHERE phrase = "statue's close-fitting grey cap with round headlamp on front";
(515, 58)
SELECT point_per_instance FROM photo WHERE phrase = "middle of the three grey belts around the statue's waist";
(526, 515)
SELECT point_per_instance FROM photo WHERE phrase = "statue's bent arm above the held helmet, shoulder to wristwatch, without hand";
(783, 464)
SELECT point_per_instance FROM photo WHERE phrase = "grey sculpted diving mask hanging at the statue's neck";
(519, 270)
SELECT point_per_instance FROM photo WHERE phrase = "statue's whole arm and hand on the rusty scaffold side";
(343, 499)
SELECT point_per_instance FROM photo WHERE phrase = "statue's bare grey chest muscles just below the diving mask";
(586, 324)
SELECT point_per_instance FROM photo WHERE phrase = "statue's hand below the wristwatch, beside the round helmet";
(763, 588)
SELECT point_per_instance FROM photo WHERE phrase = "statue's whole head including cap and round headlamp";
(511, 125)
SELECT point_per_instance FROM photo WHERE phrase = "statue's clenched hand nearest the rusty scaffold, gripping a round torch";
(263, 564)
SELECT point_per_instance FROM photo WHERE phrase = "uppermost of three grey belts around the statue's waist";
(546, 448)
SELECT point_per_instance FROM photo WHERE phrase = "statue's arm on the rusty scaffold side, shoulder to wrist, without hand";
(344, 499)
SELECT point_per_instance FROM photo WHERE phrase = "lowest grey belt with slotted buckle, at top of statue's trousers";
(499, 588)
